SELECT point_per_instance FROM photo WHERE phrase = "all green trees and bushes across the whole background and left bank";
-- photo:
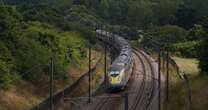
(31, 32)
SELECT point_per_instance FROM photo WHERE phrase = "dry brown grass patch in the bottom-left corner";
(18, 98)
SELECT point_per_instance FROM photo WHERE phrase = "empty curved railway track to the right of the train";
(146, 90)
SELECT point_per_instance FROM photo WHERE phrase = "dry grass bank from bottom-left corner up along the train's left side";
(24, 95)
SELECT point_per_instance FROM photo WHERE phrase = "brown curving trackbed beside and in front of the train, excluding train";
(141, 88)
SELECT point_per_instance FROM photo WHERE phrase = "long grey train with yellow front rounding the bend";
(119, 72)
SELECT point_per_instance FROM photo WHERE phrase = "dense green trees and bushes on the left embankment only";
(29, 37)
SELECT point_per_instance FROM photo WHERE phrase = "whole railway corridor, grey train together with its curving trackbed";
(132, 82)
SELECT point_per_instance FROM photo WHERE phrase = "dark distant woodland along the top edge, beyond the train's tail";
(142, 13)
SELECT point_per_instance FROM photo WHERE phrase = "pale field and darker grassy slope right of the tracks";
(198, 83)
